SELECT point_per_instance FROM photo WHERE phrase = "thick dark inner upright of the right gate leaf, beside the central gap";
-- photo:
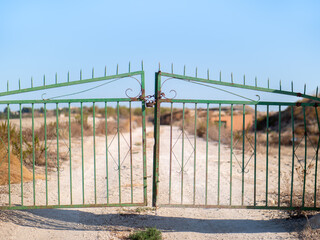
(156, 147)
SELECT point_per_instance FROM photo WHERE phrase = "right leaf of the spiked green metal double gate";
(234, 153)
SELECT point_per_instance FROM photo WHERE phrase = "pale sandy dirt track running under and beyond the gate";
(175, 223)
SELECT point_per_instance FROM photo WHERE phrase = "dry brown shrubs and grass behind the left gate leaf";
(32, 145)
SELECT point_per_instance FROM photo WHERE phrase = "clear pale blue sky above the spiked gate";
(275, 39)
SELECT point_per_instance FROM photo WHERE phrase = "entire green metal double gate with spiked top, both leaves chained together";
(58, 152)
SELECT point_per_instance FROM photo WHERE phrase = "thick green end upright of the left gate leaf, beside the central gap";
(144, 144)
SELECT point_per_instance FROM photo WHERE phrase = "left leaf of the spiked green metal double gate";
(59, 152)
